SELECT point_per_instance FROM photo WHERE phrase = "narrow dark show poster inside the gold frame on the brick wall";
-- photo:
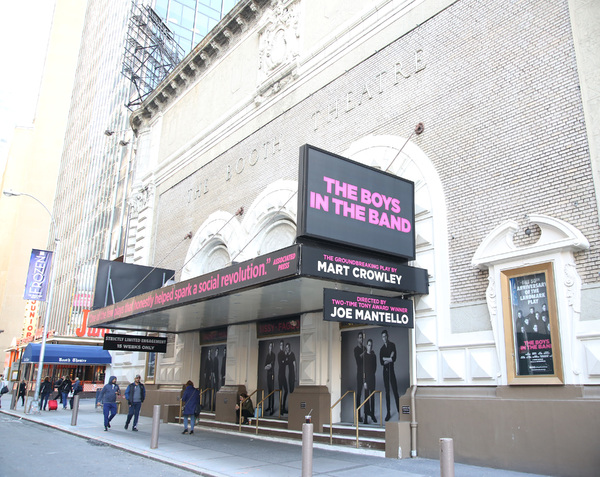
(531, 324)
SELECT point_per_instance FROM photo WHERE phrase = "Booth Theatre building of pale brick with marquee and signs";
(386, 198)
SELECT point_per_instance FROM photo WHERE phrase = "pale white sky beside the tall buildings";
(24, 33)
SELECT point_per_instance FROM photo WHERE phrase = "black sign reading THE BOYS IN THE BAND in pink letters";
(342, 201)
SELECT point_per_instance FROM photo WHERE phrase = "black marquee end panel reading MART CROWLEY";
(340, 265)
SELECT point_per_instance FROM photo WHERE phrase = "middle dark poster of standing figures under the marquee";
(278, 372)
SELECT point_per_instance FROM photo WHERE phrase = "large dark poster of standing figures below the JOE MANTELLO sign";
(375, 359)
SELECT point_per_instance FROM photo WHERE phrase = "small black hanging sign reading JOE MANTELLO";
(357, 308)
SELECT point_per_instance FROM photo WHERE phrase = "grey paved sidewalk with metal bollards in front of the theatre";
(219, 454)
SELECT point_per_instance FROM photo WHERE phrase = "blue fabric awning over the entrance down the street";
(66, 354)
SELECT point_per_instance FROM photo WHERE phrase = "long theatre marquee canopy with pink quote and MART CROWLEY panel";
(283, 283)
